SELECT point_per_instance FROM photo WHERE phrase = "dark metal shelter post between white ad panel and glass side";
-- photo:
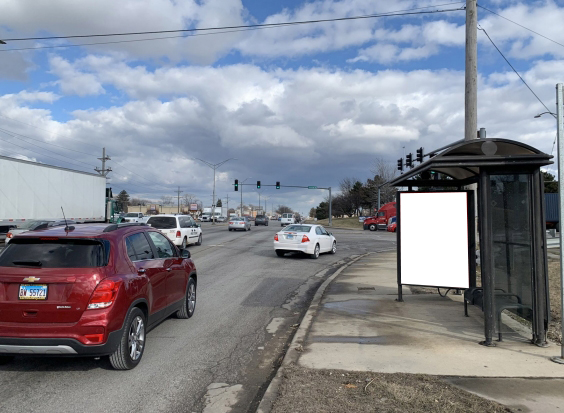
(488, 281)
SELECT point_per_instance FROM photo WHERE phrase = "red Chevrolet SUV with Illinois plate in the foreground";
(91, 290)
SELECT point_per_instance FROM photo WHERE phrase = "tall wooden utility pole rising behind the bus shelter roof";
(471, 72)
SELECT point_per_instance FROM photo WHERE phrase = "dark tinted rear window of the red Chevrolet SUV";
(58, 253)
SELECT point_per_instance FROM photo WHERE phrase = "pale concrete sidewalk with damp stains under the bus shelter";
(355, 324)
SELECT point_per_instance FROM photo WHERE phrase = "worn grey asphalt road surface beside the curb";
(249, 304)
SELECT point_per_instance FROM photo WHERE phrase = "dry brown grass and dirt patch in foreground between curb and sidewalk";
(306, 390)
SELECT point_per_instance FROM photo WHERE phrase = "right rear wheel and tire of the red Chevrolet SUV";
(133, 336)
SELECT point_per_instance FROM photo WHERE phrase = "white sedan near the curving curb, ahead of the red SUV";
(309, 239)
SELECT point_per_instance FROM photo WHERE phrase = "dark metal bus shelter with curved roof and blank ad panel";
(511, 226)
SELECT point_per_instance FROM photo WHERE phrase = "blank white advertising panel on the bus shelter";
(434, 239)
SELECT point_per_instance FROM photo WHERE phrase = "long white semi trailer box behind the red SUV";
(32, 190)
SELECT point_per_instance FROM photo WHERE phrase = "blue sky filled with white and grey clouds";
(304, 104)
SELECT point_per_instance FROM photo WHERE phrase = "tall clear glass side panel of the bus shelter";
(512, 243)
